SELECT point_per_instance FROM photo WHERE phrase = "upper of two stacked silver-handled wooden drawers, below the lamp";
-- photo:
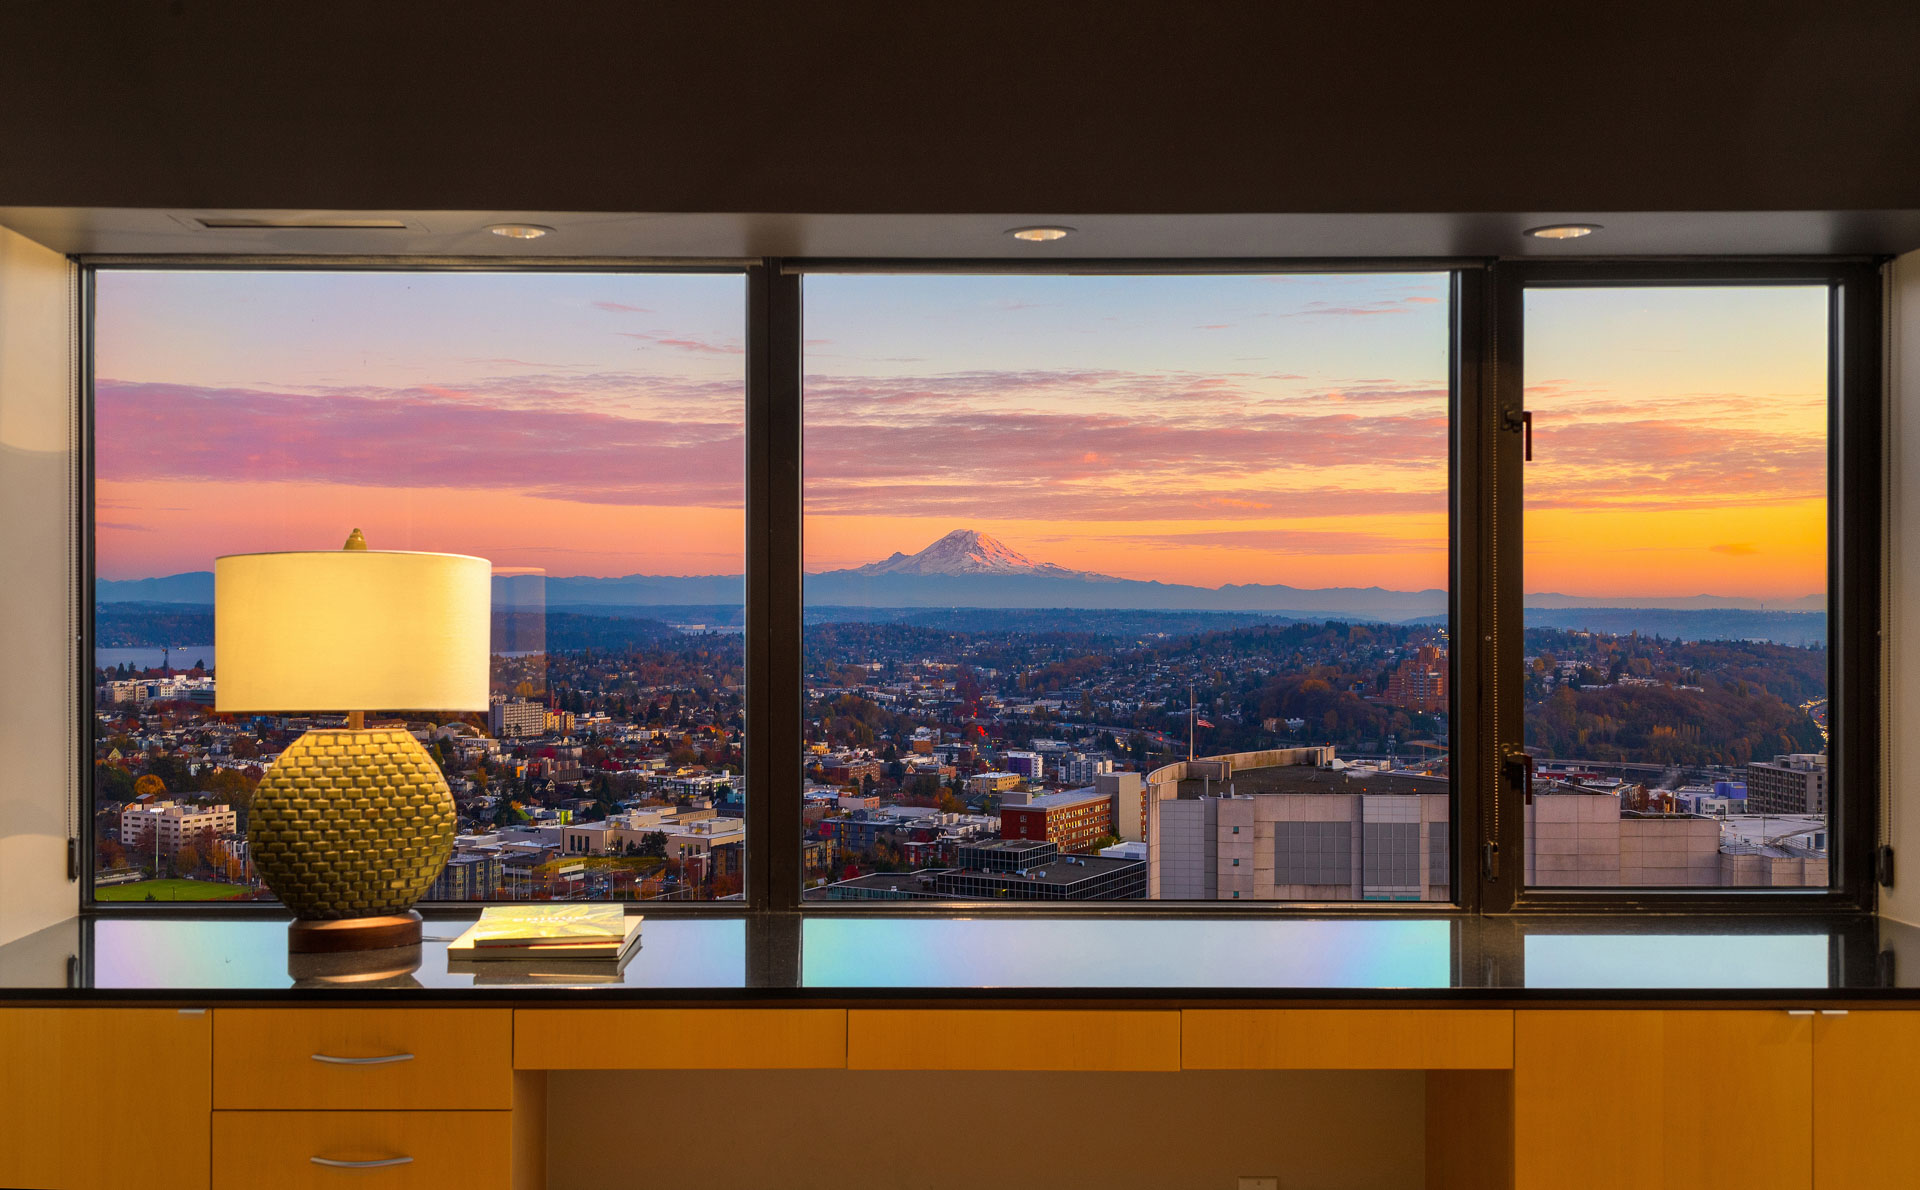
(362, 1059)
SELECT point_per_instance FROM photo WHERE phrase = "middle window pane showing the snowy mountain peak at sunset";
(1126, 586)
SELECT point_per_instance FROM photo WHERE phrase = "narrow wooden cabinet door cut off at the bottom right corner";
(1865, 1099)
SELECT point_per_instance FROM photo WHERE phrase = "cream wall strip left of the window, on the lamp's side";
(36, 588)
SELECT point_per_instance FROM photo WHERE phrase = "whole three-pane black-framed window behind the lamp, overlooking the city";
(1101, 586)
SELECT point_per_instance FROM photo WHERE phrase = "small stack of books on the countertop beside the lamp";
(548, 943)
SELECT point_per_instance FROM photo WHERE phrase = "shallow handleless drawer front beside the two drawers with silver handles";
(696, 1039)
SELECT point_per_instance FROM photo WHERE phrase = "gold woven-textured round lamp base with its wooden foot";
(348, 830)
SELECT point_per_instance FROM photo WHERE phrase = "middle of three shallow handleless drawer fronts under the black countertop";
(984, 1039)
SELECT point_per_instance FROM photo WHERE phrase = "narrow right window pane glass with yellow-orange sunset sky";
(1677, 556)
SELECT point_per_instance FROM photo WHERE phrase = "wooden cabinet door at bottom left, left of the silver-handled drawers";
(105, 1097)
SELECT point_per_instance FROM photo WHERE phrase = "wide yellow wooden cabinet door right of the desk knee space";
(1685, 1101)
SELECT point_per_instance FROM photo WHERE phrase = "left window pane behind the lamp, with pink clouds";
(585, 433)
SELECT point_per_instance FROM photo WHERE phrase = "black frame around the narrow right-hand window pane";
(1856, 410)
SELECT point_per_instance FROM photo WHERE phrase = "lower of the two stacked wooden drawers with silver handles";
(366, 1151)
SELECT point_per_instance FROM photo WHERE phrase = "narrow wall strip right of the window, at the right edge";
(1902, 705)
